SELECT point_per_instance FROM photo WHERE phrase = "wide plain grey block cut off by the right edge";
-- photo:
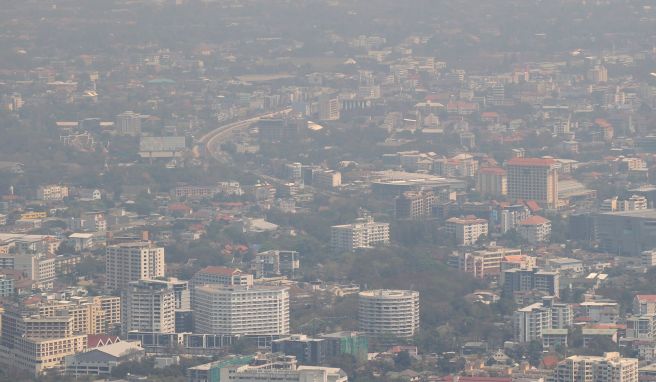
(626, 233)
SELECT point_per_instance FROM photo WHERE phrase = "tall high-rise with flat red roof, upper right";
(534, 179)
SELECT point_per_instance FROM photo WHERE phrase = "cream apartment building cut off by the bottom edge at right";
(608, 368)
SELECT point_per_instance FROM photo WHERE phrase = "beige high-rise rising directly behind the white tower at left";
(134, 261)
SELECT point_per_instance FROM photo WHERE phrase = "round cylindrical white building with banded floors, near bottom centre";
(389, 312)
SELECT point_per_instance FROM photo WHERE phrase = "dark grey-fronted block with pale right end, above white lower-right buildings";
(531, 280)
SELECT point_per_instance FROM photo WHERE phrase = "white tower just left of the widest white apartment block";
(149, 306)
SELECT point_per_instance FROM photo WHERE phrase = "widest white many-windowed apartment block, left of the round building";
(241, 310)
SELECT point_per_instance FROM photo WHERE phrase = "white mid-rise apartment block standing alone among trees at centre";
(364, 233)
